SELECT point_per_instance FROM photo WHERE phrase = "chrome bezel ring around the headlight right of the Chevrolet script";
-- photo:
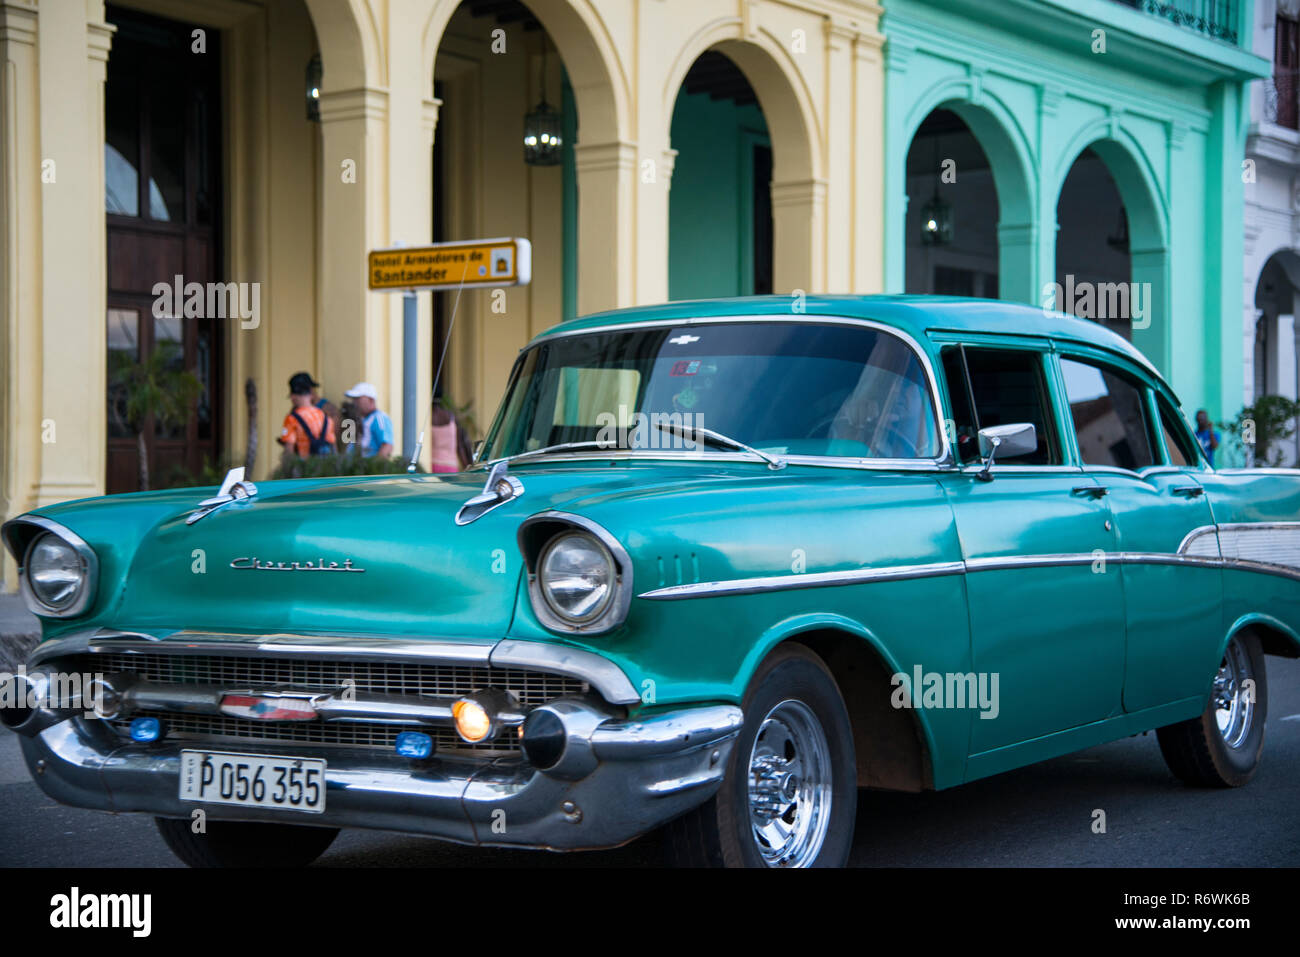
(539, 535)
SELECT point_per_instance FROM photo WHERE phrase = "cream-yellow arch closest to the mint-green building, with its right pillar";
(799, 177)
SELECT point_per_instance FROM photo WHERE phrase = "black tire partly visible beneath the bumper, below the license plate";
(246, 845)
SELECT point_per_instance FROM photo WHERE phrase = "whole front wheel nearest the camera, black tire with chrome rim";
(790, 796)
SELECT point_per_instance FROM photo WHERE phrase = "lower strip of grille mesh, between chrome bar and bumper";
(219, 728)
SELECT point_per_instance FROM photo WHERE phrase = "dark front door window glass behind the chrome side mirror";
(999, 387)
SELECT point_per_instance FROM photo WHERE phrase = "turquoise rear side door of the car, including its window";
(1132, 443)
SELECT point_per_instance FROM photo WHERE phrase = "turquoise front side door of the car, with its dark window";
(1043, 617)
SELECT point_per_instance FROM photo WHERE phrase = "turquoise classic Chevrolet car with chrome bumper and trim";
(718, 568)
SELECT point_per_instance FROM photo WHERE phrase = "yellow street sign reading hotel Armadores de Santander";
(445, 266)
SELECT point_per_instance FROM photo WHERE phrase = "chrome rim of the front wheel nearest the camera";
(790, 787)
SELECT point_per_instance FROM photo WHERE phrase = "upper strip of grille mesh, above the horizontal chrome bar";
(531, 688)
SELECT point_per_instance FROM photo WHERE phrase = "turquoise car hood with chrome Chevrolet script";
(379, 556)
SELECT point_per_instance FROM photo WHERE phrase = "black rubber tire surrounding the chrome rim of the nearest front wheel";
(721, 833)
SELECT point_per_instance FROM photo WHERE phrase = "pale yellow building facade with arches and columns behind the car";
(118, 175)
